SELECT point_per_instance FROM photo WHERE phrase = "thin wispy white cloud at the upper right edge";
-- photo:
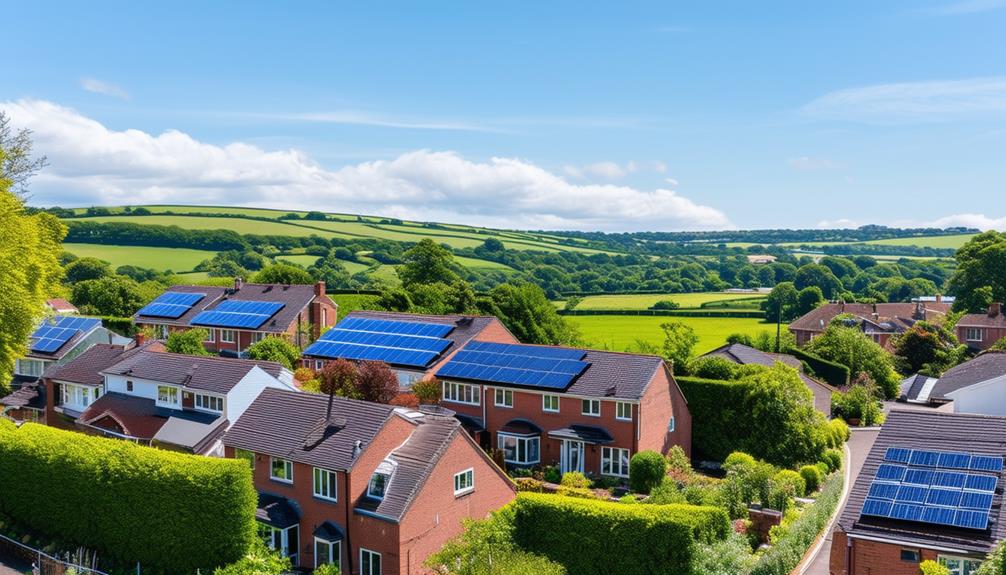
(913, 102)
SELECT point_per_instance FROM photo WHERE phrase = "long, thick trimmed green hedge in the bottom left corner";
(171, 512)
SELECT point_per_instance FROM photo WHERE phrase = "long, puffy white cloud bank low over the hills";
(91, 164)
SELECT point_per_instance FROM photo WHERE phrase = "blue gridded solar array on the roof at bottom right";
(953, 489)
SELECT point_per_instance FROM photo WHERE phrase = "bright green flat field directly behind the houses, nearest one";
(619, 333)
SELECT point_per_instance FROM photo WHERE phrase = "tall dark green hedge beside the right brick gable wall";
(719, 416)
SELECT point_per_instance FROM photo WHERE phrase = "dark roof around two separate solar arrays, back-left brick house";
(294, 299)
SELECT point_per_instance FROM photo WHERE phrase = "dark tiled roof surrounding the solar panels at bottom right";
(938, 432)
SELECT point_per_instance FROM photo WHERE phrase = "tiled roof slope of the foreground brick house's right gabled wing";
(415, 460)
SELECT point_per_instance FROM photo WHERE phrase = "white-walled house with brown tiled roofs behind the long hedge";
(157, 399)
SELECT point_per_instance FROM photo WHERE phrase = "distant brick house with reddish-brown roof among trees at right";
(879, 321)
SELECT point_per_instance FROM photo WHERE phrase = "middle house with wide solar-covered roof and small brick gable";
(454, 331)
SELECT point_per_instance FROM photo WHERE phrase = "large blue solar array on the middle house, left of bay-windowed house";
(413, 344)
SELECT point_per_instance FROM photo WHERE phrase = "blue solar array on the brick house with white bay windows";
(528, 366)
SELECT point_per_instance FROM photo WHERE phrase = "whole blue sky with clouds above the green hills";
(621, 116)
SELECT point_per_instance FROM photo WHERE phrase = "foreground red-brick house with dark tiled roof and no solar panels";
(372, 488)
